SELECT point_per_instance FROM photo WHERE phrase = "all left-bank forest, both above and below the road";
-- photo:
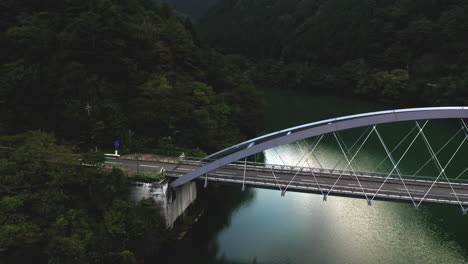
(77, 75)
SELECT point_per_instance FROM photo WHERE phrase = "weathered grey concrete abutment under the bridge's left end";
(172, 202)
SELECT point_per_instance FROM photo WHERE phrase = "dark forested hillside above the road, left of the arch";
(95, 71)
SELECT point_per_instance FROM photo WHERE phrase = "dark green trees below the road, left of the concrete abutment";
(54, 212)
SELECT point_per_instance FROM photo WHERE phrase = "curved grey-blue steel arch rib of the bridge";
(289, 135)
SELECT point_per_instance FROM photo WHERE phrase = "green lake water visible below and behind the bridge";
(261, 226)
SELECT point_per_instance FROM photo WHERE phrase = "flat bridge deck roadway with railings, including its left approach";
(324, 182)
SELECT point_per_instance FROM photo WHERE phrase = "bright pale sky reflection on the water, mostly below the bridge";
(299, 228)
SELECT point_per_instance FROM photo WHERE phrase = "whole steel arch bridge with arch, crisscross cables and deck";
(231, 166)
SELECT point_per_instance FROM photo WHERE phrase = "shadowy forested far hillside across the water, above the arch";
(412, 50)
